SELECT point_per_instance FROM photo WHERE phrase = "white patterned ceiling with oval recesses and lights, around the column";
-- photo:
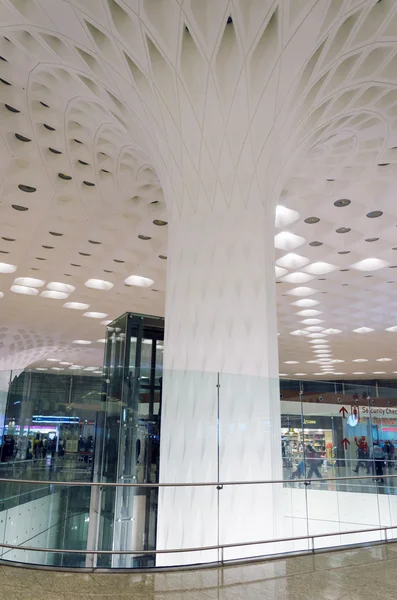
(78, 74)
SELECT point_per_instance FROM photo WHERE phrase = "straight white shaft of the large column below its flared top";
(220, 330)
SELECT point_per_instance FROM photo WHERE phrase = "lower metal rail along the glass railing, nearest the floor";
(199, 548)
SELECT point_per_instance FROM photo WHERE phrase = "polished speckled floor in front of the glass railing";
(363, 574)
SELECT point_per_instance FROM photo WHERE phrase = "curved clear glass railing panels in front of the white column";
(87, 480)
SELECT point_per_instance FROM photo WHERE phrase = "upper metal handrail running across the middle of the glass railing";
(219, 484)
